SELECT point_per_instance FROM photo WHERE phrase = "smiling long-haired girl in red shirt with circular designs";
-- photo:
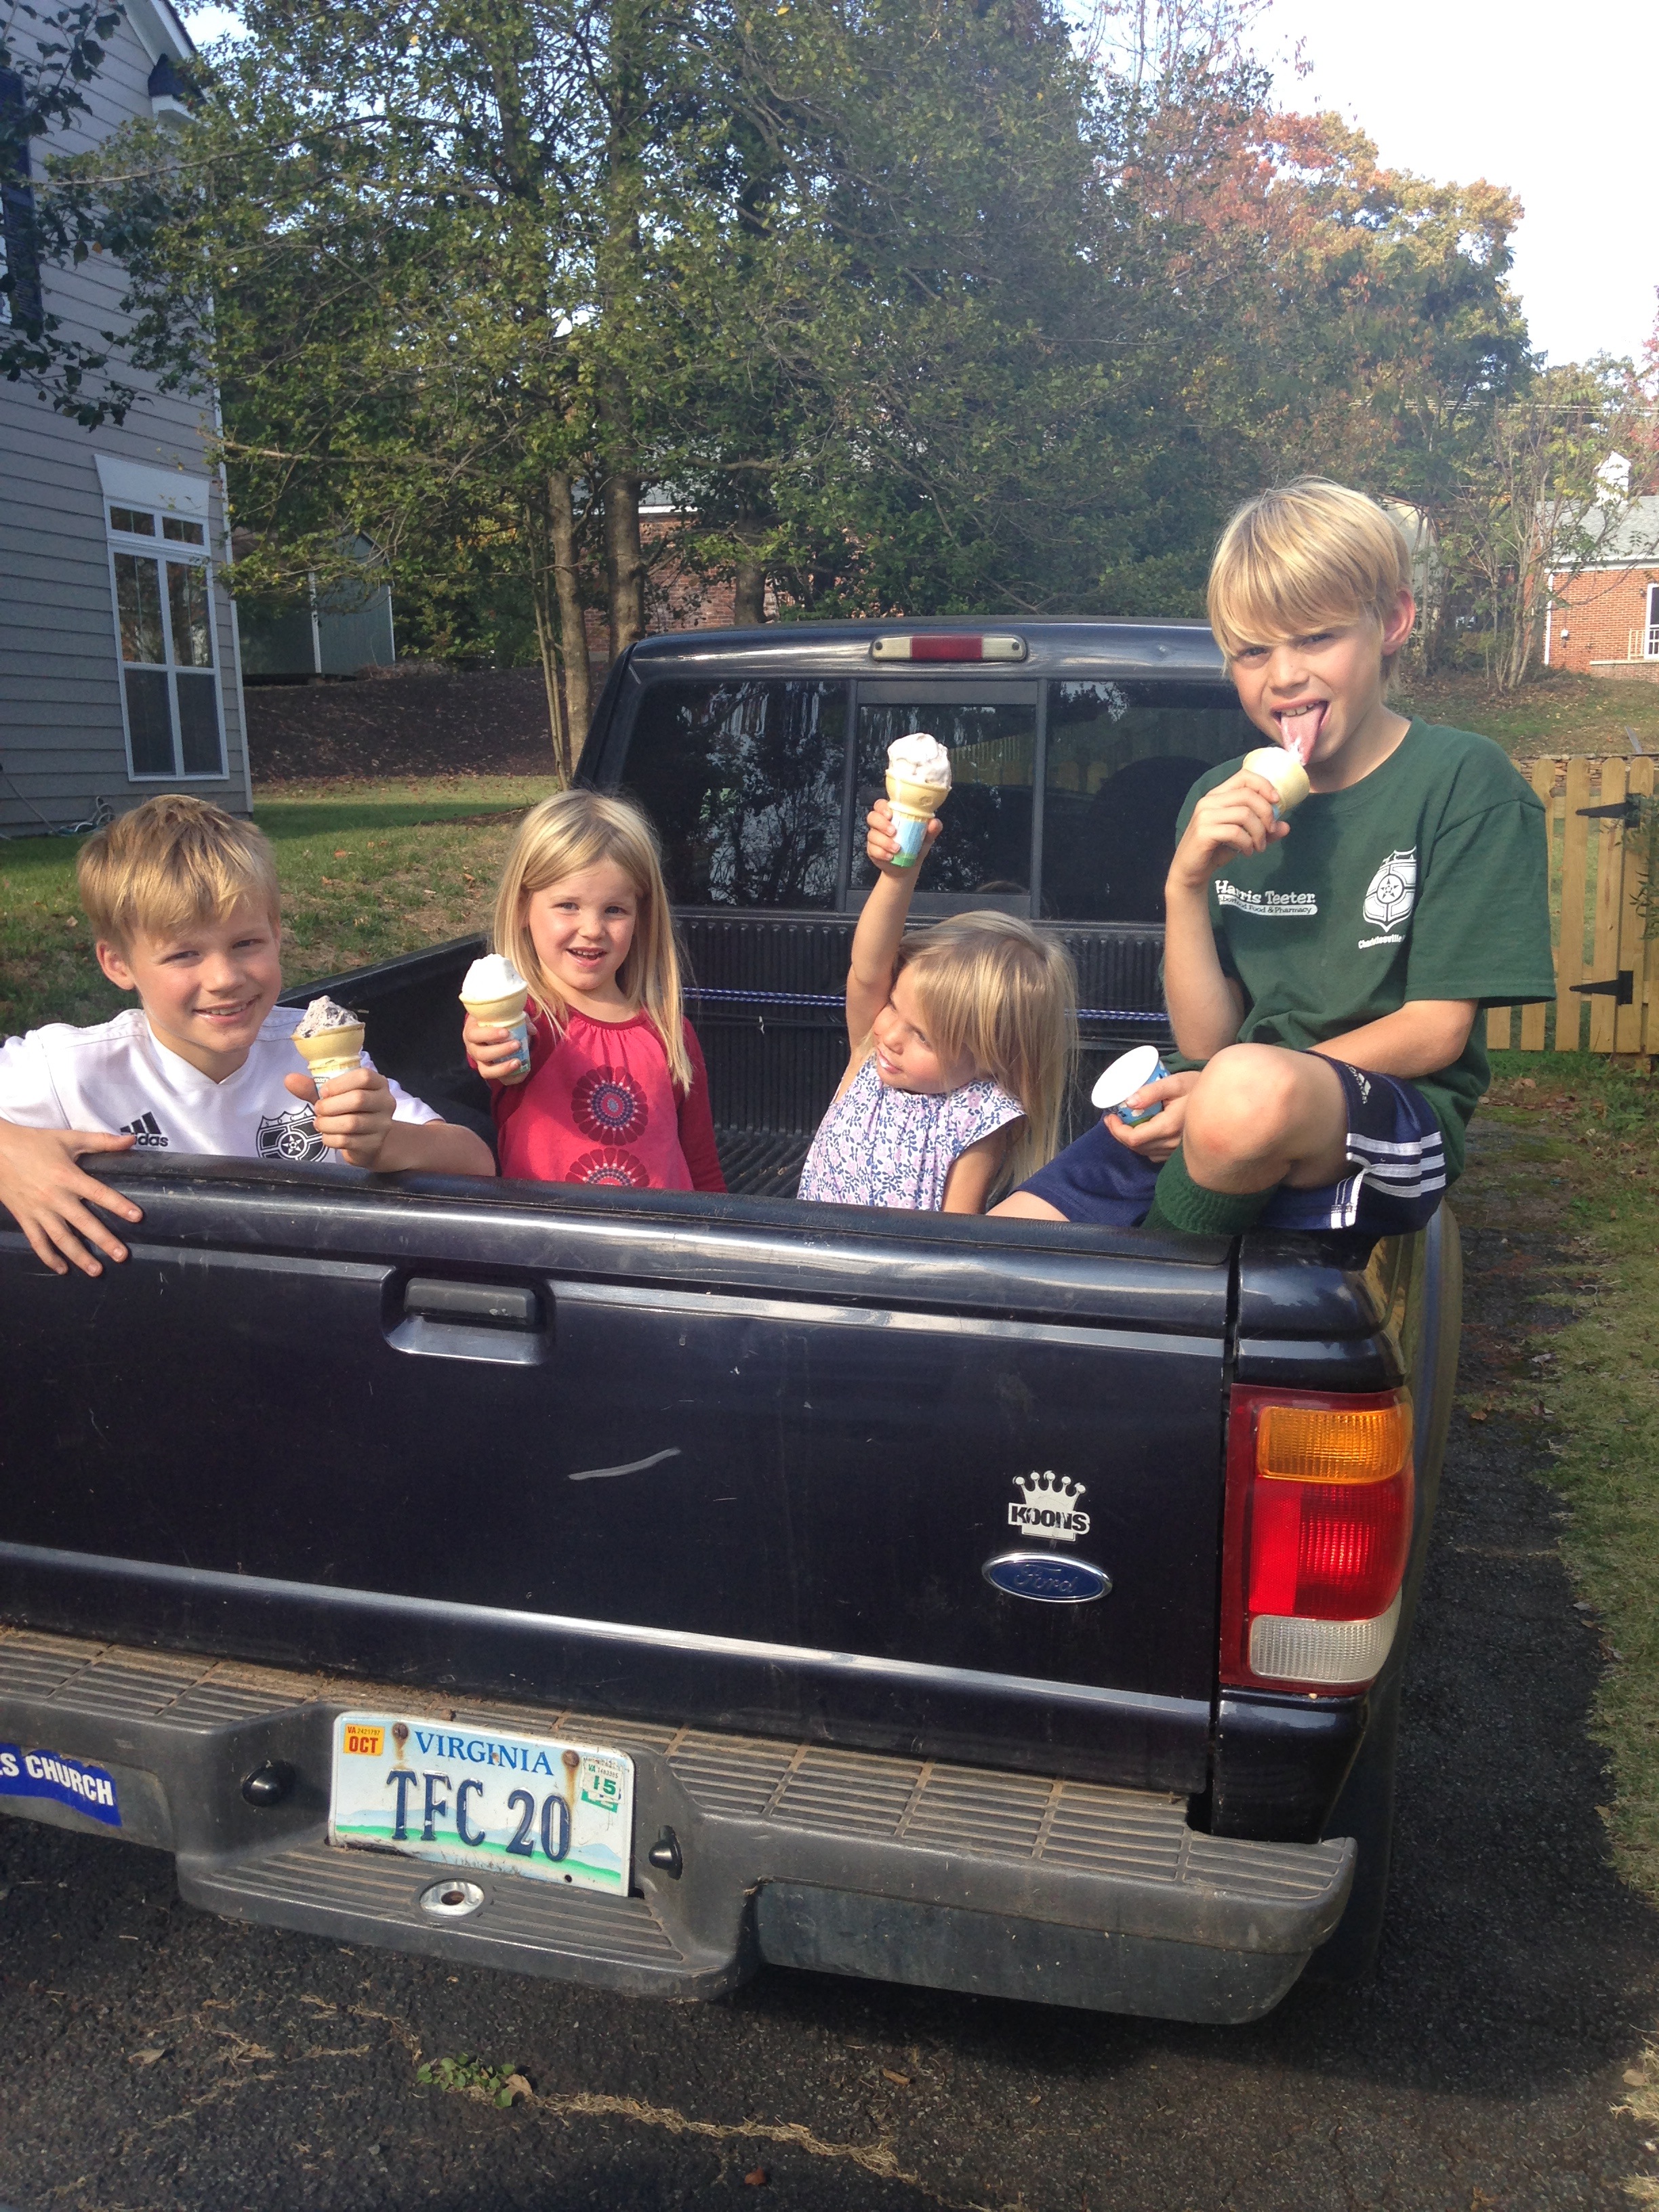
(618, 1092)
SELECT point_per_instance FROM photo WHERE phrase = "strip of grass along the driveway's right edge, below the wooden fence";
(1569, 1160)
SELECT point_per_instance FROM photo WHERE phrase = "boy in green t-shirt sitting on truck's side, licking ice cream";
(1324, 972)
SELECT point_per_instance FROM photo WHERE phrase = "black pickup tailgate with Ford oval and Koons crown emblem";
(738, 1461)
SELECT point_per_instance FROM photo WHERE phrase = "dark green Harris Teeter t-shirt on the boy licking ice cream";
(1426, 879)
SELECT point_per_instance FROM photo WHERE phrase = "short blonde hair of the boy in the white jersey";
(171, 864)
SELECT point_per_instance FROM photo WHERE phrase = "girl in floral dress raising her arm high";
(961, 1047)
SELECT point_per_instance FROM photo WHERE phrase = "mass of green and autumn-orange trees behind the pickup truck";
(917, 306)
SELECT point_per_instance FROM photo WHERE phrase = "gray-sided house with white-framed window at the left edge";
(118, 643)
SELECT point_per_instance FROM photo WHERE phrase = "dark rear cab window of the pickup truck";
(1063, 804)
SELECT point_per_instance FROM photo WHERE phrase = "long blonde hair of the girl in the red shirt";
(561, 837)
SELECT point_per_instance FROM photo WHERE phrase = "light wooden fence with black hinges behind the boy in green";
(1607, 966)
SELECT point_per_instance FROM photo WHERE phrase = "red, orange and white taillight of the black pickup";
(1319, 1530)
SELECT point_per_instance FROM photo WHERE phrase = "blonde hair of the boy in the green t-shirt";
(1300, 556)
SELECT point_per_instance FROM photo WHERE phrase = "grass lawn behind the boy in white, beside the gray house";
(368, 870)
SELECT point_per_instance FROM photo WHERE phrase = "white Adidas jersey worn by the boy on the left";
(121, 1081)
